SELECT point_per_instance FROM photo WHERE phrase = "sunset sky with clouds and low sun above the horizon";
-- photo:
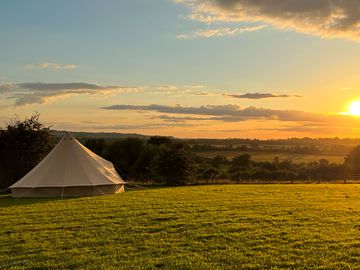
(184, 68)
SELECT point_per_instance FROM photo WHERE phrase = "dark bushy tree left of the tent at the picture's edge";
(23, 144)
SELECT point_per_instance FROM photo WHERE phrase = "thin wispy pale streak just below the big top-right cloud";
(220, 32)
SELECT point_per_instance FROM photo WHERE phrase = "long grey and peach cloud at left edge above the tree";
(30, 93)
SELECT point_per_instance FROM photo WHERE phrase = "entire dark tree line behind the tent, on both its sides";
(163, 160)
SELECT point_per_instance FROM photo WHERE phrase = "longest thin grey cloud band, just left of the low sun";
(227, 113)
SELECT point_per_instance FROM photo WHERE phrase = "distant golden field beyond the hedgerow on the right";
(269, 156)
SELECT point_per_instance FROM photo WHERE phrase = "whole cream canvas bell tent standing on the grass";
(70, 169)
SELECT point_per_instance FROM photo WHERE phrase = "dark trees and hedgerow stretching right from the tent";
(172, 162)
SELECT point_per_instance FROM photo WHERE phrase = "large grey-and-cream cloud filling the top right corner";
(324, 18)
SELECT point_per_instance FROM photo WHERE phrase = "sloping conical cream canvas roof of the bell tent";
(70, 164)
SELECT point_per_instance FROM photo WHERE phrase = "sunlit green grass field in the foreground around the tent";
(199, 227)
